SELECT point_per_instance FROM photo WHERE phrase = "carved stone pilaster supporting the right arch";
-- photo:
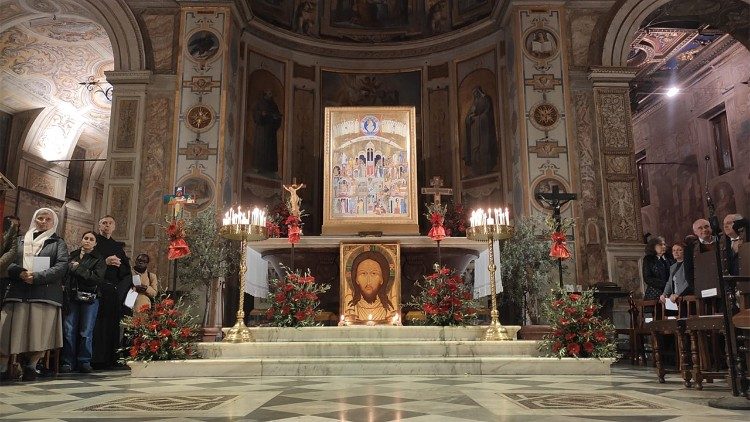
(622, 212)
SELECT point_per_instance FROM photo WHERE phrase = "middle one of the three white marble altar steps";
(368, 349)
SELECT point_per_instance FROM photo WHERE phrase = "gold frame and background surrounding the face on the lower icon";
(348, 252)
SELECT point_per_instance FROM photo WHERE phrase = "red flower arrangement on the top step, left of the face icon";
(294, 300)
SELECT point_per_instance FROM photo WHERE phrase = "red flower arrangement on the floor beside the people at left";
(164, 331)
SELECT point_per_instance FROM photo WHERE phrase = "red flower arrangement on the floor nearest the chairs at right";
(578, 330)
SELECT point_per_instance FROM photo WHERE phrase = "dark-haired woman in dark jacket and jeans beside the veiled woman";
(85, 274)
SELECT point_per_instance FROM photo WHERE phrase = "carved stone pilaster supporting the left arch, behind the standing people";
(123, 169)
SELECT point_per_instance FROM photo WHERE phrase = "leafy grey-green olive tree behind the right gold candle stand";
(526, 264)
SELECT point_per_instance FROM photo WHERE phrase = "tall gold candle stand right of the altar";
(490, 233)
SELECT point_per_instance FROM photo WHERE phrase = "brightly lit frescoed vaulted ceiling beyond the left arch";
(46, 49)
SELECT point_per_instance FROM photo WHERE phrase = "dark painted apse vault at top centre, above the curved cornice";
(369, 21)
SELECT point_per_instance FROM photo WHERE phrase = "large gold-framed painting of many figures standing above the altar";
(370, 172)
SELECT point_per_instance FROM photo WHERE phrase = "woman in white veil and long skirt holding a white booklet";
(31, 318)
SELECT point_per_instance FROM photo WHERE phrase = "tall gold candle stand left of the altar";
(239, 333)
